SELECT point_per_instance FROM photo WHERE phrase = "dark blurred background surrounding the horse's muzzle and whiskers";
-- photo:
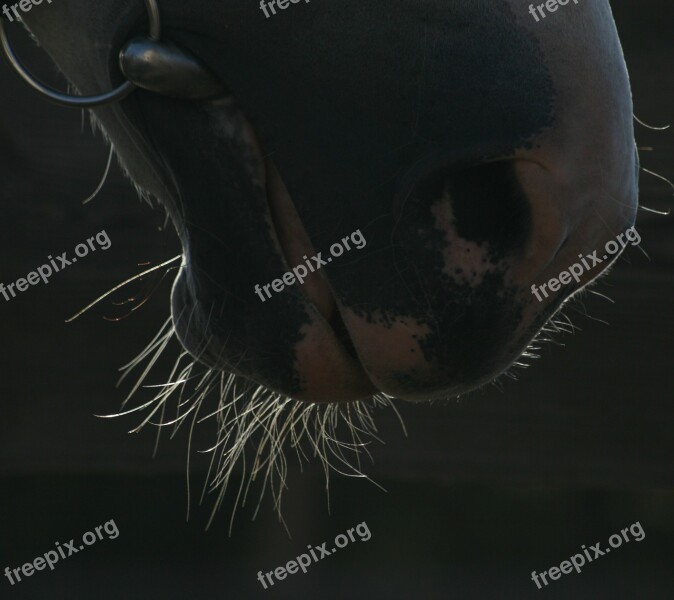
(481, 492)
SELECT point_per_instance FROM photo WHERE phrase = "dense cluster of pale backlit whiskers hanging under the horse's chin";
(255, 427)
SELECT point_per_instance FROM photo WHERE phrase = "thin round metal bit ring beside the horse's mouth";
(80, 101)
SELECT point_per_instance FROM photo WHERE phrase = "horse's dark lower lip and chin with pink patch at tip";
(210, 172)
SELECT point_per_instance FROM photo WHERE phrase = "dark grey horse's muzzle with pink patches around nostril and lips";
(477, 151)
